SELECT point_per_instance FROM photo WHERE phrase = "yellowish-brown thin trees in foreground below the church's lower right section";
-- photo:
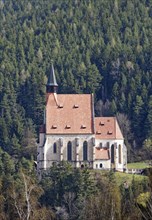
(105, 203)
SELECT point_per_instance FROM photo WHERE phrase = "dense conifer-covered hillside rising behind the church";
(99, 46)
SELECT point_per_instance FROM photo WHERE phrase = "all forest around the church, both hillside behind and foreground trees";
(97, 46)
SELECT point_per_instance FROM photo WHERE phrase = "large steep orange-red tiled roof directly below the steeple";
(69, 114)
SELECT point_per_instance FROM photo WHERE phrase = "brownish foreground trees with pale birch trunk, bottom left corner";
(20, 191)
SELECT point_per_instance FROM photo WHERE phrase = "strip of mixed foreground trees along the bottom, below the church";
(65, 193)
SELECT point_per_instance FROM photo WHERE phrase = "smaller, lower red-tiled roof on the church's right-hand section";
(107, 128)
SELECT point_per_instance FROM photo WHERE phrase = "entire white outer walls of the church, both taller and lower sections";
(54, 148)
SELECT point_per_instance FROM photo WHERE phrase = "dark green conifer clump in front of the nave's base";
(61, 180)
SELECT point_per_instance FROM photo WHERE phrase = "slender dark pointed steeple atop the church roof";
(51, 86)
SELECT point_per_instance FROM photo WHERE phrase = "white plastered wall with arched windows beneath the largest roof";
(61, 154)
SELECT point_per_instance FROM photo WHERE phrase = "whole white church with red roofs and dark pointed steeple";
(72, 133)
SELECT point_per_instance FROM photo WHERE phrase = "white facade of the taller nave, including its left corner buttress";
(47, 155)
